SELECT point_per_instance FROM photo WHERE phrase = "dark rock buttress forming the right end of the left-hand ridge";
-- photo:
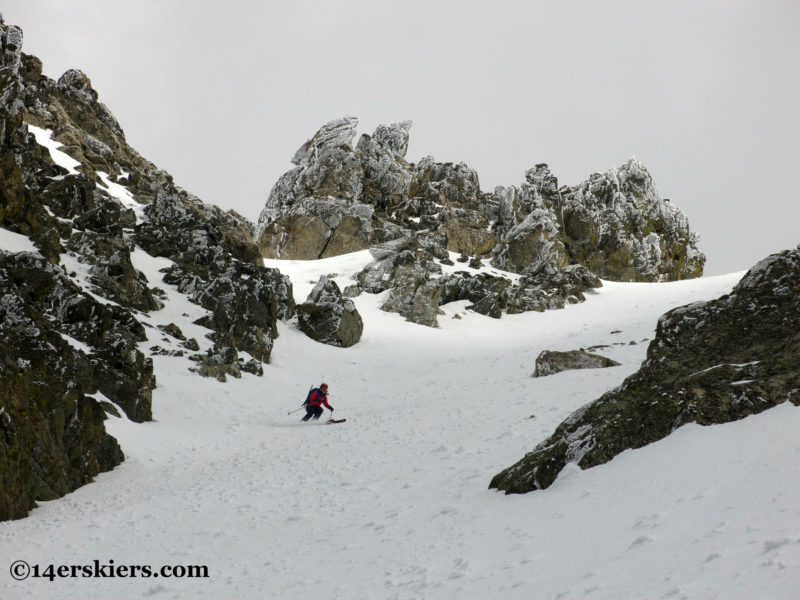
(214, 258)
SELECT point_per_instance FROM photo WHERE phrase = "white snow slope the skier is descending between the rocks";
(394, 503)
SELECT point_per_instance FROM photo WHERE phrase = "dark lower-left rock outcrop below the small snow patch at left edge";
(53, 439)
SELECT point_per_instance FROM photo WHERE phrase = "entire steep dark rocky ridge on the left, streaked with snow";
(74, 316)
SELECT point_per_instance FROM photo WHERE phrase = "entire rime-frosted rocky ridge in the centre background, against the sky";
(341, 198)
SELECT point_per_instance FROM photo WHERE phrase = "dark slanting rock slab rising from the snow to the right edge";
(710, 362)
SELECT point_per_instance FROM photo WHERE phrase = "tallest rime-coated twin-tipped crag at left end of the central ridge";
(325, 206)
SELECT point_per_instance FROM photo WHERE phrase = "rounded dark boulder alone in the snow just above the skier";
(327, 317)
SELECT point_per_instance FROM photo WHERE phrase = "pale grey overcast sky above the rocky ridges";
(220, 94)
